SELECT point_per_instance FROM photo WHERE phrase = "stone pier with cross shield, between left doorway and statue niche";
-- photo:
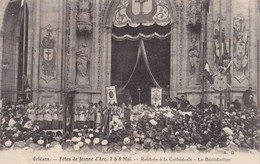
(47, 75)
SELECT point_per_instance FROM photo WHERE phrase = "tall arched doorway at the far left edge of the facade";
(14, 58)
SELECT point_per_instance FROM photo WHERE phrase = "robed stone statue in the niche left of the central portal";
(83, 62)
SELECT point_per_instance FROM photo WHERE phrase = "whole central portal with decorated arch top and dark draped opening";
(134, 25)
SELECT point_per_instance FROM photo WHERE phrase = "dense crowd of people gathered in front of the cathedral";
(176, 126)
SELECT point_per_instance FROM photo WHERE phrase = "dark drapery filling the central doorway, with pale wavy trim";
(125, 57)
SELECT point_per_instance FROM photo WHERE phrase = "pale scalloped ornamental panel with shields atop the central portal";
(147, 12)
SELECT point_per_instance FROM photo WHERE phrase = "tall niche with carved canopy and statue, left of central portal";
(84, 38)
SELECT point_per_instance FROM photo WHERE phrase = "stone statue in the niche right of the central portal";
(194, 55)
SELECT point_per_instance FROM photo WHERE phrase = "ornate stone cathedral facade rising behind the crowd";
(49, 49)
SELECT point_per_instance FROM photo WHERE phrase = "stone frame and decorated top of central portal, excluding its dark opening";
(136, 17)
